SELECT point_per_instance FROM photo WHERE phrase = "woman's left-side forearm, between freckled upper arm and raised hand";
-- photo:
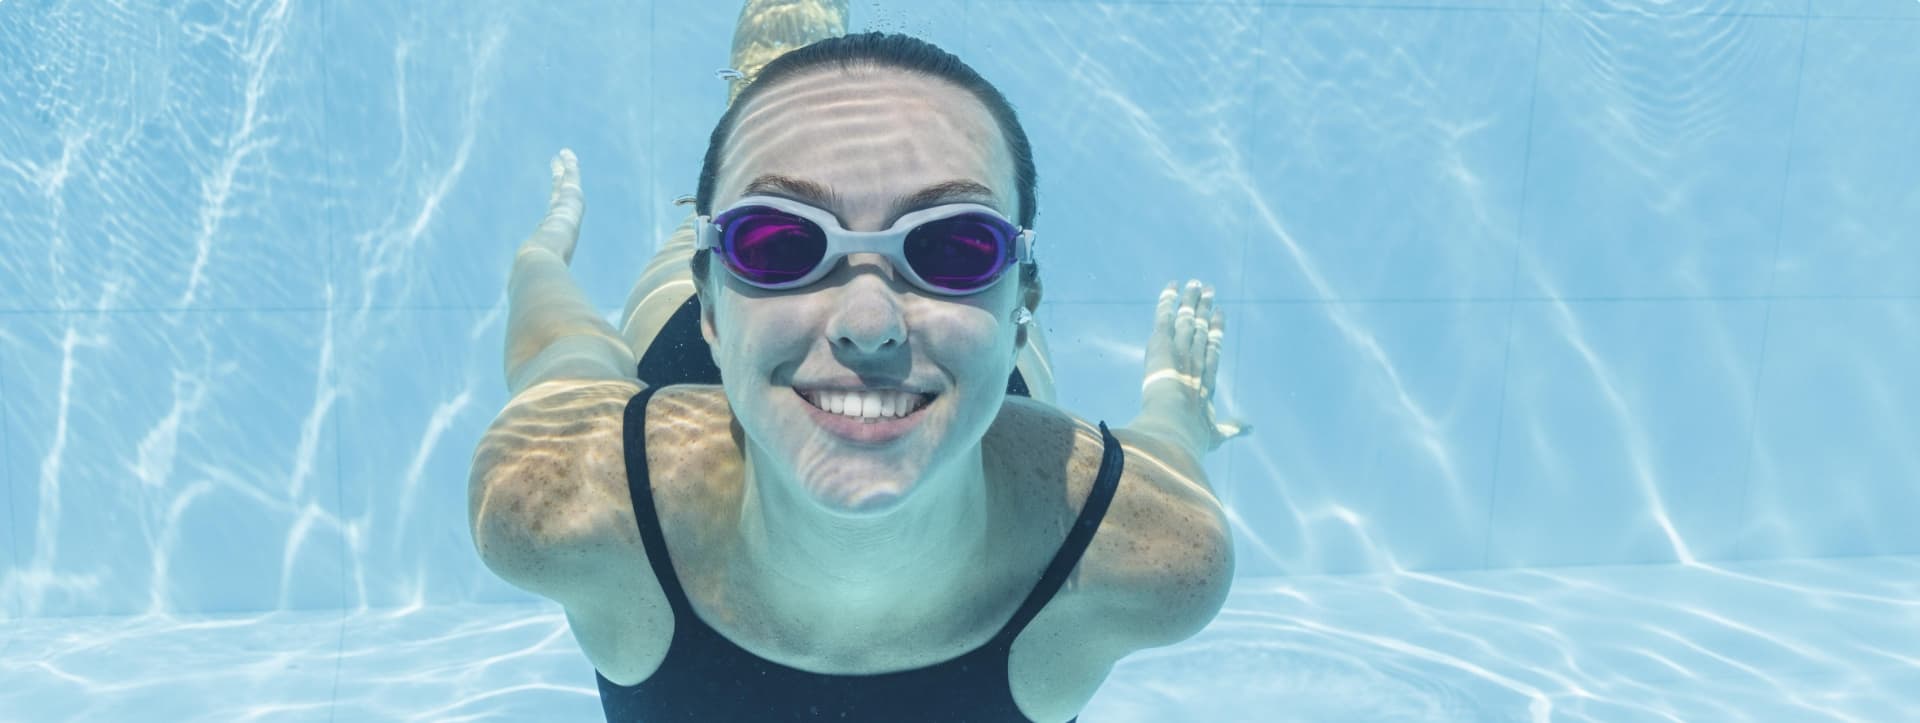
(552, 329)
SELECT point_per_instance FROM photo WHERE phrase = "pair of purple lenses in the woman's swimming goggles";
(961, 254)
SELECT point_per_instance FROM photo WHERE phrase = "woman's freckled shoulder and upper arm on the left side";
(548, 500)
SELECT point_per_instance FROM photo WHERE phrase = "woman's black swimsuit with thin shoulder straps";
(708, 678)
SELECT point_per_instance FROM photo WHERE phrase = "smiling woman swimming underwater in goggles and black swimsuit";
(859, 523)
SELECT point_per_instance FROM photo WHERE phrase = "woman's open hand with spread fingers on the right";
(1182, 363)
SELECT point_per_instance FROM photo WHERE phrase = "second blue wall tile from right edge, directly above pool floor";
(1625, 432)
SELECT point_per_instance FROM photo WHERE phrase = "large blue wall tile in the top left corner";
(162, 162)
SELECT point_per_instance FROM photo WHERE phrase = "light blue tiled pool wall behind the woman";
(1510, 283)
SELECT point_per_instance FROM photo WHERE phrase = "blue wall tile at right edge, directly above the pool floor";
(1835, 457)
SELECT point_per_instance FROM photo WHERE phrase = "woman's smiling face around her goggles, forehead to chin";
(863, 145)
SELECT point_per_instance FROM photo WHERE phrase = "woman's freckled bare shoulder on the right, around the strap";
(1163, 561)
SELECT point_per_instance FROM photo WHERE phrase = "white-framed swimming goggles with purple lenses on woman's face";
(780, 245)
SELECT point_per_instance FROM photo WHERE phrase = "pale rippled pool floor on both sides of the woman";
(1764, 641)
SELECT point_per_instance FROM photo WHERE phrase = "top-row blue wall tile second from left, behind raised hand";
(441, 139)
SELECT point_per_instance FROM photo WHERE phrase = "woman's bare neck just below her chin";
(863, 567)
